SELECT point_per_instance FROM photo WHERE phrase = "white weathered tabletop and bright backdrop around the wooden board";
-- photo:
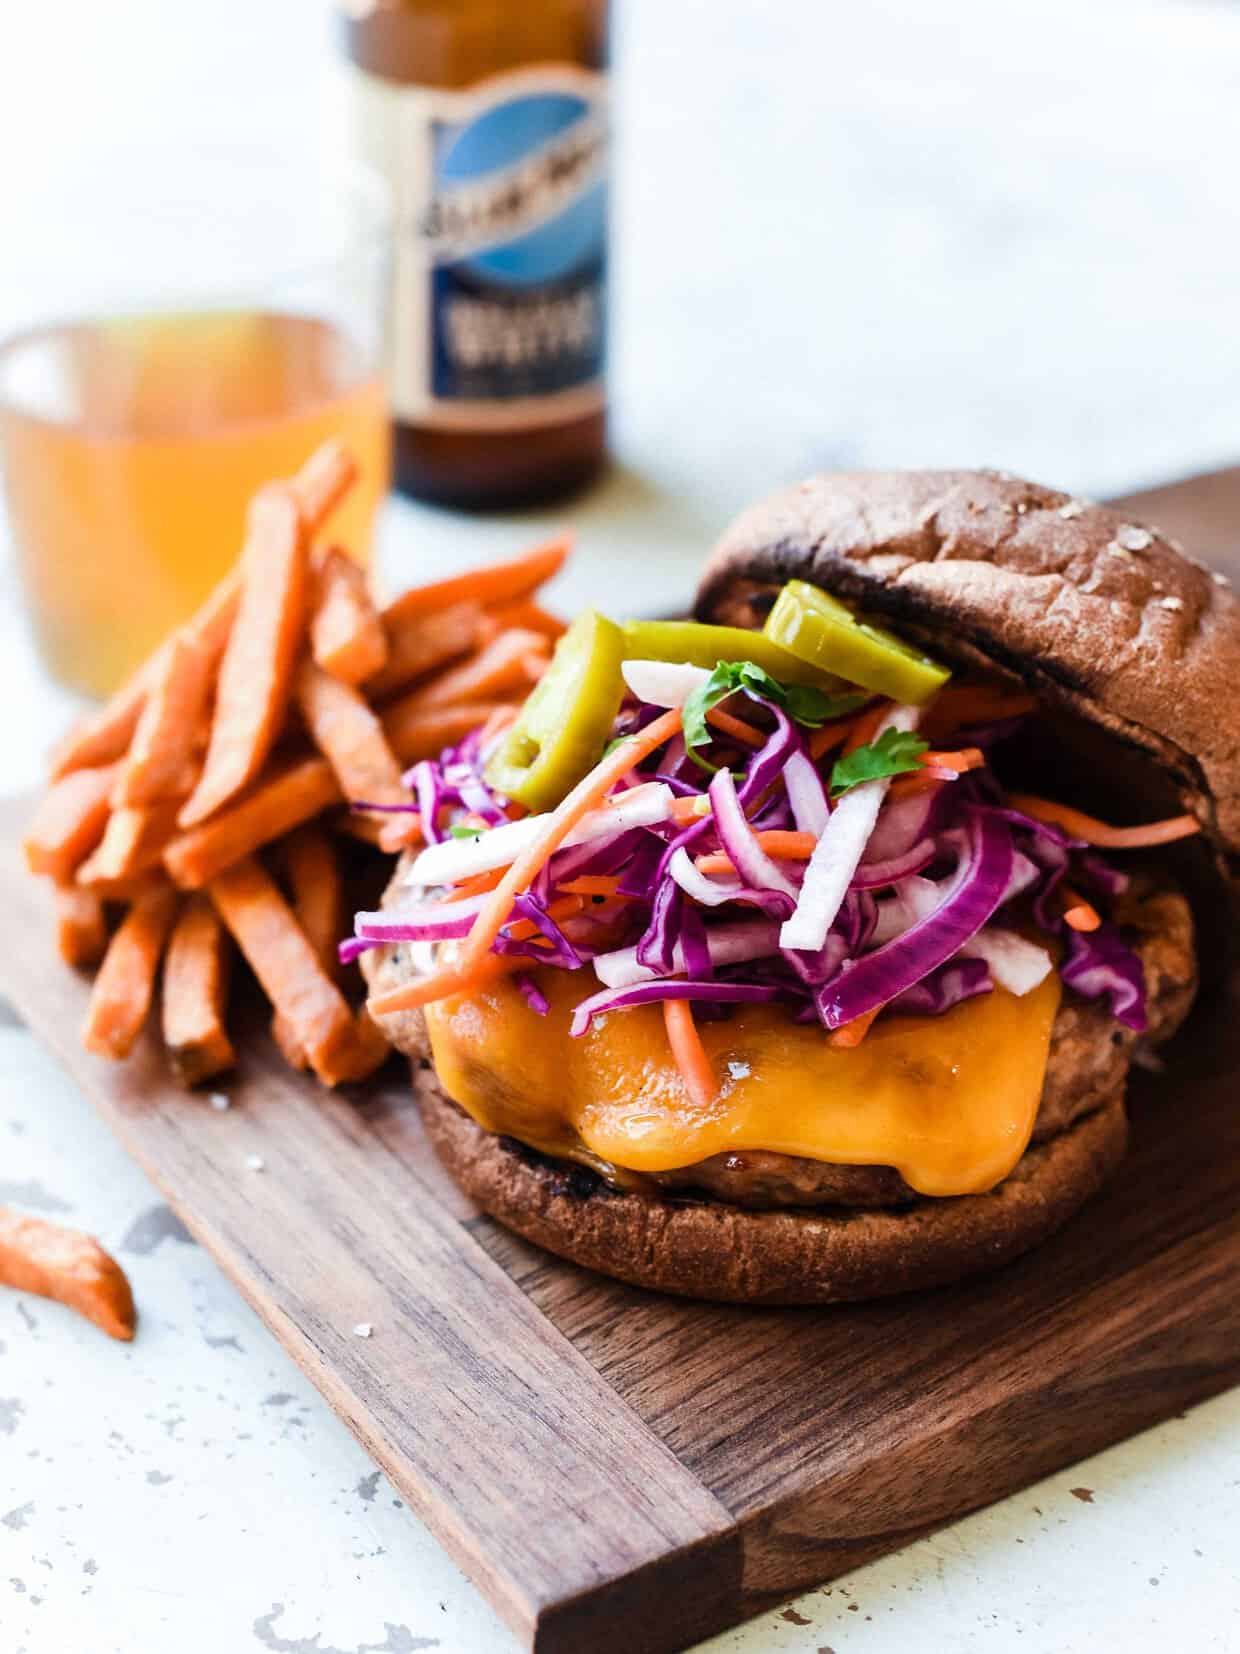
(852, 236)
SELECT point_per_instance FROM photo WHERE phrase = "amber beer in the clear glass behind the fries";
(131, 449)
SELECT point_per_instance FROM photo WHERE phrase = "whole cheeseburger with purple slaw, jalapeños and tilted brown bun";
(801, 952)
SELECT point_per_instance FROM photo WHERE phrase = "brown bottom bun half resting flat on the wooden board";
(707, 1250)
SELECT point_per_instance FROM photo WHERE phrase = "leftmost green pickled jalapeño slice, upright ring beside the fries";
(568, 719)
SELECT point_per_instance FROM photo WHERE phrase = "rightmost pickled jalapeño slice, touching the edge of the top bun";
(821, 631)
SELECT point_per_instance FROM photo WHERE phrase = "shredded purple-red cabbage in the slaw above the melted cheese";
(938, 866)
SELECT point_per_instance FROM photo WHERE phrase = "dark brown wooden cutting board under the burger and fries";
(629, 1473)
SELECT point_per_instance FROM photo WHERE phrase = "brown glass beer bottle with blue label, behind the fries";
(490, 122)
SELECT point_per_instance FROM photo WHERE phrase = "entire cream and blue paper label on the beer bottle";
(498, 317)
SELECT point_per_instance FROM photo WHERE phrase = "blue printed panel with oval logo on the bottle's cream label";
(515, 244)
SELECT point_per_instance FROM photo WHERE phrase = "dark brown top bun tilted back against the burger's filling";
(1104, 619)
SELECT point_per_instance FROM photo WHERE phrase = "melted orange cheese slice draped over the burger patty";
(950, 1101)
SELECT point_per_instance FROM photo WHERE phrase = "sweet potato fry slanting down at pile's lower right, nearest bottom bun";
(285, 963)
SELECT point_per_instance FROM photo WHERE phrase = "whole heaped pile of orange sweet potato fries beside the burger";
(209, 803)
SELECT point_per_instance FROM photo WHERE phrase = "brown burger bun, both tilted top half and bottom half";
(1133, 653)
